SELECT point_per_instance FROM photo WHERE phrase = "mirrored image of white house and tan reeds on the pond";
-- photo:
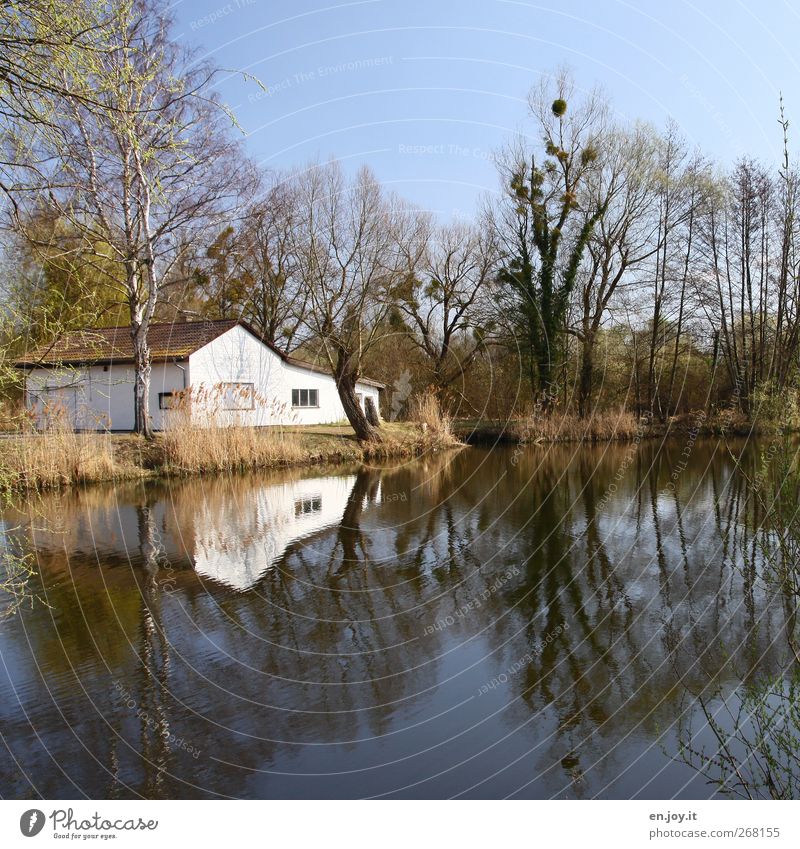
(229, 531)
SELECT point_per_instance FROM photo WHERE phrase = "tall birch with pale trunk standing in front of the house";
(145, 172)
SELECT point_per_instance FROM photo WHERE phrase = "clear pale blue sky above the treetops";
(425, 92)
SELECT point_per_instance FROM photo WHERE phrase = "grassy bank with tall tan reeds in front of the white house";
(63, 458)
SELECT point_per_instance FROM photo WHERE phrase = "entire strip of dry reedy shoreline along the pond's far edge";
(57, 461)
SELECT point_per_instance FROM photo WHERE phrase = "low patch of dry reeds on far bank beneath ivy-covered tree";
(602, 426)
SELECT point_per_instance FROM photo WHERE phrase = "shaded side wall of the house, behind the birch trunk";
(98, 397)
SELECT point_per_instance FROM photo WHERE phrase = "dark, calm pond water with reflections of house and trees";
(529, 622)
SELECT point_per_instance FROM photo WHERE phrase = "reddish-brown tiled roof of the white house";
(170, 341)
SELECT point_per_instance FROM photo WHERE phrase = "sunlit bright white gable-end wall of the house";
(237, 356)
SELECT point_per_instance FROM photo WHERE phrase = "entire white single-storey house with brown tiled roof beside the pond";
(219, 372)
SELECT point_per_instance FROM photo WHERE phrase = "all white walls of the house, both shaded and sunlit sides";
(96, 397)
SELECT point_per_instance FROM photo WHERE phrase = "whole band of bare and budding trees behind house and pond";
(614, 267)
